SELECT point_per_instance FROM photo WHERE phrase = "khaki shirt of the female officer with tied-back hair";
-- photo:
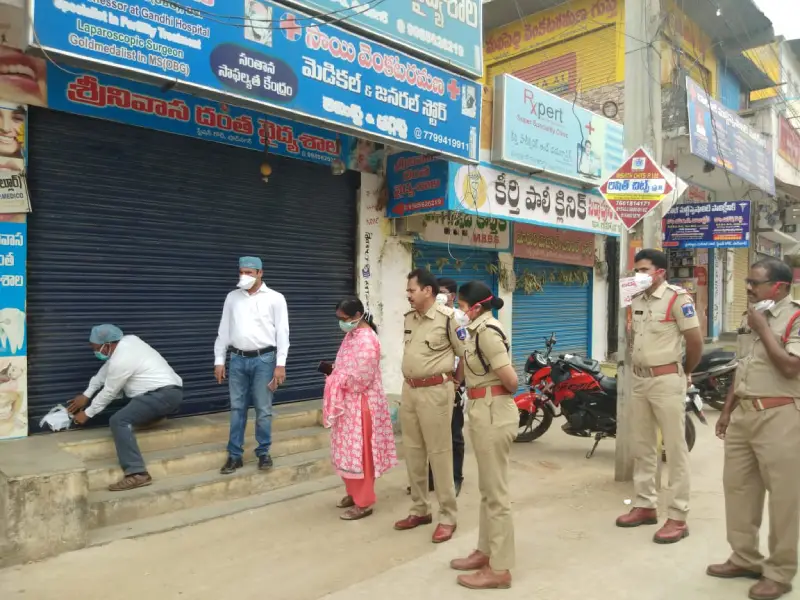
(493, 350)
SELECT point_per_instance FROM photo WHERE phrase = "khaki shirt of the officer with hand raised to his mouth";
(756, 376)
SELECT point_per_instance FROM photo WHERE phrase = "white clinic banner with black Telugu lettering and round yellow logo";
(491, 192)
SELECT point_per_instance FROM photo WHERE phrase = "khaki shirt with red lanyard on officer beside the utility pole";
(657, 339)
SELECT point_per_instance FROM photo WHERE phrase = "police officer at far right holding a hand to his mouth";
(760, 424)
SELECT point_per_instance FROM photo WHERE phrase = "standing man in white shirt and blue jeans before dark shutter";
(255, 327)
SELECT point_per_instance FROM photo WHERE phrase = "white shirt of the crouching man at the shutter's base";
(135, 368)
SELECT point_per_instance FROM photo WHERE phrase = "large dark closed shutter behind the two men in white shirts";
(143, 229)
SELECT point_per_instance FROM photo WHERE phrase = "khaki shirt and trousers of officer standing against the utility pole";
(658, 400)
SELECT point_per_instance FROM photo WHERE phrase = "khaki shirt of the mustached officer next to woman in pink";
(430, 346)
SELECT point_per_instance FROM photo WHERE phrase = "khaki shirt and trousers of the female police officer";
(493, 424)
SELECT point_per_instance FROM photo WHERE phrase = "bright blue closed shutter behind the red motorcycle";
(561, 307)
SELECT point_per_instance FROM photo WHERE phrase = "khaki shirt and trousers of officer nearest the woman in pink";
(431, 345)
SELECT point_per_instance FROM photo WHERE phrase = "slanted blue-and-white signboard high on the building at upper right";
(721, 137)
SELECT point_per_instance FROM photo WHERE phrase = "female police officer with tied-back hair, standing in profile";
(493, 423)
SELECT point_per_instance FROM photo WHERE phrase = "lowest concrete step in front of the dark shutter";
(183, 492)
